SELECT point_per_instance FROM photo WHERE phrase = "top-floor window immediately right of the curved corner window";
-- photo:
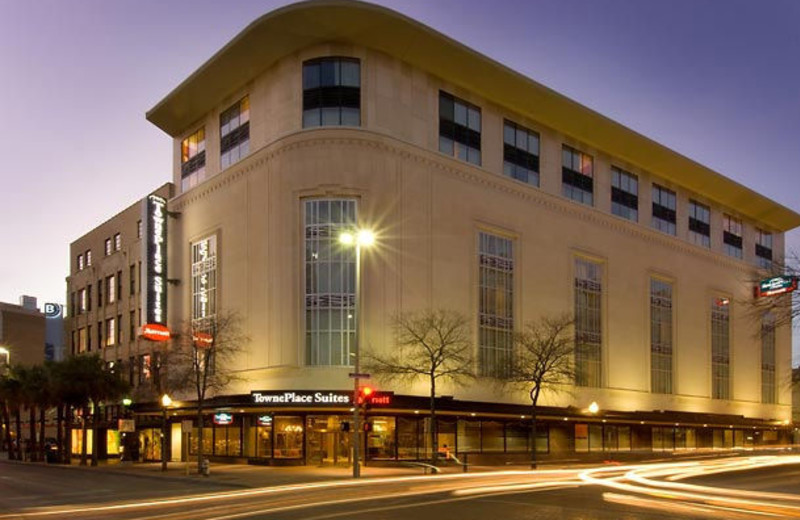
(459, 128)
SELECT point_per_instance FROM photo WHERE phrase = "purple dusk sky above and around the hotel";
(716, 81)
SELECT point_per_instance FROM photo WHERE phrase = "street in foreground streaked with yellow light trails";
(715, 488)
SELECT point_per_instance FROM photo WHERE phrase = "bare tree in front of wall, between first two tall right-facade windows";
(543, 361)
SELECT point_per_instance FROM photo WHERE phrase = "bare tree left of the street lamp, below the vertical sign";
(202, 362)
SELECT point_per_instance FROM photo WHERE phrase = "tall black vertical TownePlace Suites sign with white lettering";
(155, 257)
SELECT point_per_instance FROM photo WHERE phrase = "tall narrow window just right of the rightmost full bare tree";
(588, 323)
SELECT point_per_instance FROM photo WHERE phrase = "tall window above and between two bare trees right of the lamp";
(496, 304)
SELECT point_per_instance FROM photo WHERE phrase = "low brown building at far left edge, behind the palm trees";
(22, 333)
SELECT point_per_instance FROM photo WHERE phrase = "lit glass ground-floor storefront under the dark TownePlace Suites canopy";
(291, 428)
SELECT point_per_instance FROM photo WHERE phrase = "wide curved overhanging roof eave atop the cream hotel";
(292, 28)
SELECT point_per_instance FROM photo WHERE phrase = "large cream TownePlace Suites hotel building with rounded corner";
(490, 195)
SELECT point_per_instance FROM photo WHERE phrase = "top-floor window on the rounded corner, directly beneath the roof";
(331, 92)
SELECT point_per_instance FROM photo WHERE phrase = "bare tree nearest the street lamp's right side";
(431, 344)
